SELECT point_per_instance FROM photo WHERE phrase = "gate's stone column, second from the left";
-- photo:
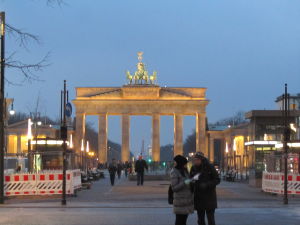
(102, 138)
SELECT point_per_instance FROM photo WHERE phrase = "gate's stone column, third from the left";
(125, 155)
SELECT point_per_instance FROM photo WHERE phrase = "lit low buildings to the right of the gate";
(256, 146)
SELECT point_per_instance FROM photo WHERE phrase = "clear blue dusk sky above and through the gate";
(243, 51)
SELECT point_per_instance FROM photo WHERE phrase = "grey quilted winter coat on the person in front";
(182, 195)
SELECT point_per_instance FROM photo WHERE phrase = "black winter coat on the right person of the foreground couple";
(205, 196)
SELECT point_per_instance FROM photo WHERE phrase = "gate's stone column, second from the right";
(178, 133)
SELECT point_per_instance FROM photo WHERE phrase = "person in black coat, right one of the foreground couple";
(205, 178)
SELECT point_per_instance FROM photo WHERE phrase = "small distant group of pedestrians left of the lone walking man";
(116, 168)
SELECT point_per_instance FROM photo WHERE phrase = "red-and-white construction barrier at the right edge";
(274, 183)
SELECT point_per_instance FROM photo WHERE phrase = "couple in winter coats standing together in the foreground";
(194, 190)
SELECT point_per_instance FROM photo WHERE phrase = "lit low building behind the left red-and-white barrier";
(45, 145)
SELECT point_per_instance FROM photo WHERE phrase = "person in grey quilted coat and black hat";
(183, 204)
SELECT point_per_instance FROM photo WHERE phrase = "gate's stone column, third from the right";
(156, 138)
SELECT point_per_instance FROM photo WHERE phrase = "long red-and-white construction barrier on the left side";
(44, 183)
